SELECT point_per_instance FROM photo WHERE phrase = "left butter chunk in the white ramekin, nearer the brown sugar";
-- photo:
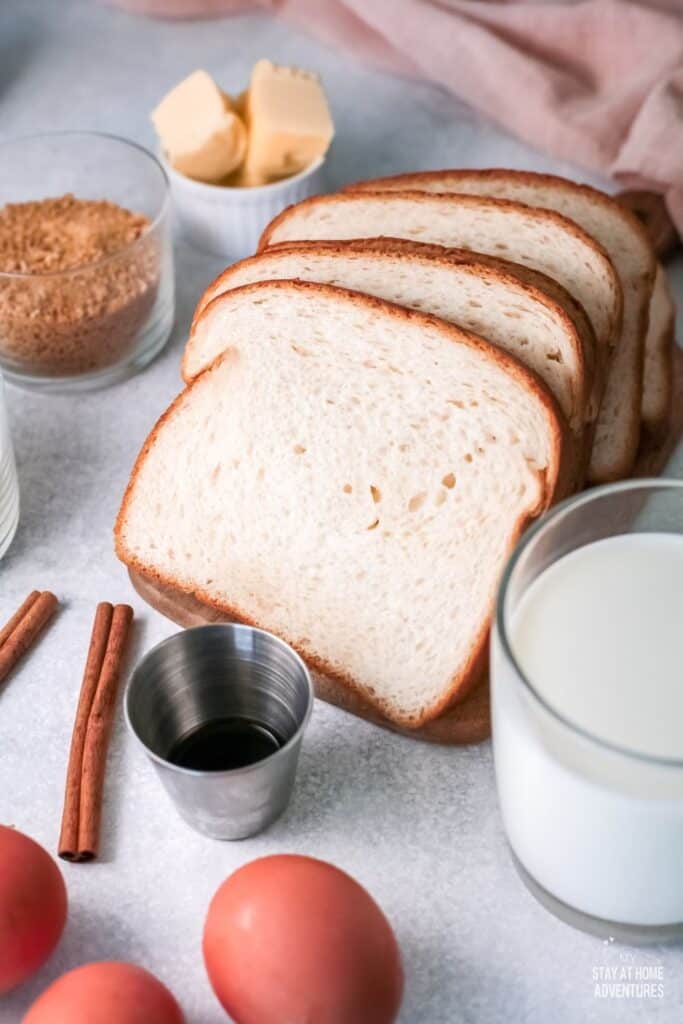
(201, 134)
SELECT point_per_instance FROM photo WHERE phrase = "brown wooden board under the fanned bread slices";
(468, 722)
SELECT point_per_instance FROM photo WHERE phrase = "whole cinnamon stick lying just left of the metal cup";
(79, 840)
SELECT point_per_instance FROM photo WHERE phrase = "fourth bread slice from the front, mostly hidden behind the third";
(627, 244)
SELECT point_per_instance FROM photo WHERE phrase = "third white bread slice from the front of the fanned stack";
(540, 240)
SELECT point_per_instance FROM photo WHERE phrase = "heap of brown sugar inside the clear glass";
(78, 283)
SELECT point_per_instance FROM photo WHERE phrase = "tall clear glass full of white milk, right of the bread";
(587, 684)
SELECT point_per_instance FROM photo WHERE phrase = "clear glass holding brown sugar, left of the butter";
(91, 325)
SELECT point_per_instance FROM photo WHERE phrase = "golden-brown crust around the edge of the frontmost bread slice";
(554, 484)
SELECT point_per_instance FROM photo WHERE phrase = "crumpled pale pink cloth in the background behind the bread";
(596, 82)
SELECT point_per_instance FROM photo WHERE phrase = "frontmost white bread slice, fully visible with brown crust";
(352, 476)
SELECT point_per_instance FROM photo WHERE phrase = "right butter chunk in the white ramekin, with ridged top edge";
(288, 123)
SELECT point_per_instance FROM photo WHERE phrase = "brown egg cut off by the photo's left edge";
(33, 907)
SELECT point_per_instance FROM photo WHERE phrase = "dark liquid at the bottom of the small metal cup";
(225, 744)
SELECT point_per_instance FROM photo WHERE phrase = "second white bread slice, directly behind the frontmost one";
(494, 305)
